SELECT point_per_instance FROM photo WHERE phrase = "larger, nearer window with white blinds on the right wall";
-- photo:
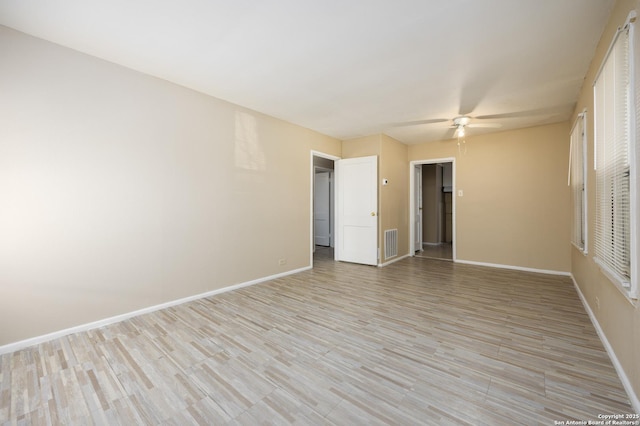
(614, 138)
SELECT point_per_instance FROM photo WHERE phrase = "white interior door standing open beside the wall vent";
(357, 210)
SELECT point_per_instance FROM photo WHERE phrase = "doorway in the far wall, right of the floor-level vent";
(433, 208)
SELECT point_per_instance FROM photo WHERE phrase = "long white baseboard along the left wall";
(16, 346)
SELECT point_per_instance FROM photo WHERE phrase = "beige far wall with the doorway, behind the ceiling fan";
(515, 205)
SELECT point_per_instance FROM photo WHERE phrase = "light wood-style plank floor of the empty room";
(417, 342)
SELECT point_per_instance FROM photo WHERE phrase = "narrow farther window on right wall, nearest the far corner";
(577, 182)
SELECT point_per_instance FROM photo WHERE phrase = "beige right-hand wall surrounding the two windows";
(617, 316)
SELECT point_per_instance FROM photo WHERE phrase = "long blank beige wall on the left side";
(121, 191)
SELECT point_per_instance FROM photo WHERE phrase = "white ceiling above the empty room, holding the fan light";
(346, 68)
